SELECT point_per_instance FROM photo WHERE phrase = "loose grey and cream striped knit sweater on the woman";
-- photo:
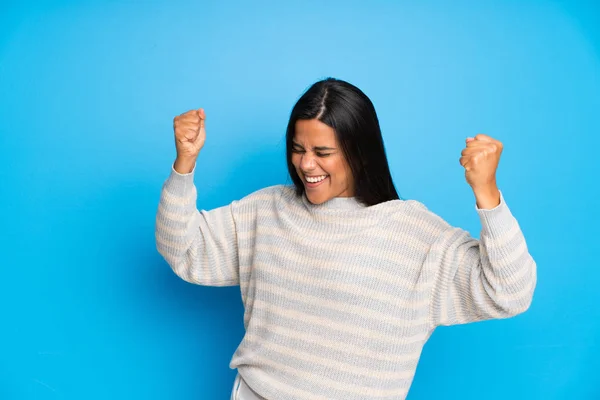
(340, 298)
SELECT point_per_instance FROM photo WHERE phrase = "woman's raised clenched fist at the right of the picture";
(480, 159)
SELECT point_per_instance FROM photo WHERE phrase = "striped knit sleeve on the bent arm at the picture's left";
(200, 246)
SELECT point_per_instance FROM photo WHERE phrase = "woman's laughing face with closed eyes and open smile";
(320, 162)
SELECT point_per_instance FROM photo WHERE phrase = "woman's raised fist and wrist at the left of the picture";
(190, 135)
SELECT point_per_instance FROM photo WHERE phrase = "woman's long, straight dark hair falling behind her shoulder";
(351, 114)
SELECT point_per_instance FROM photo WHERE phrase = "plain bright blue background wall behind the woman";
(88, 92)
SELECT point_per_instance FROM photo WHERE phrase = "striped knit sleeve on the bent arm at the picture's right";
(490, 278)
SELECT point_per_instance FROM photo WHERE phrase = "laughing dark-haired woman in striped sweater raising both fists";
(342, 281)
